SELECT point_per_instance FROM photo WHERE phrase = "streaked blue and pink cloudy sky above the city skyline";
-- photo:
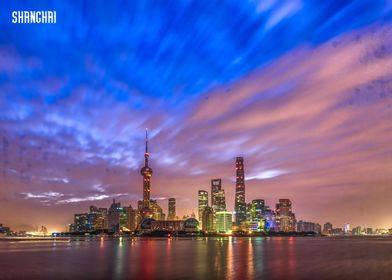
(301, 89)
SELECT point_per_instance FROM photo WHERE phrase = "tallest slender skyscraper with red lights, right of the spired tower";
(239, 203)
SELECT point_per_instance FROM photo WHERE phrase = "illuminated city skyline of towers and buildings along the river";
(283, 216)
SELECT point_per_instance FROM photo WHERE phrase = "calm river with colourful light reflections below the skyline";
(199, 258)
